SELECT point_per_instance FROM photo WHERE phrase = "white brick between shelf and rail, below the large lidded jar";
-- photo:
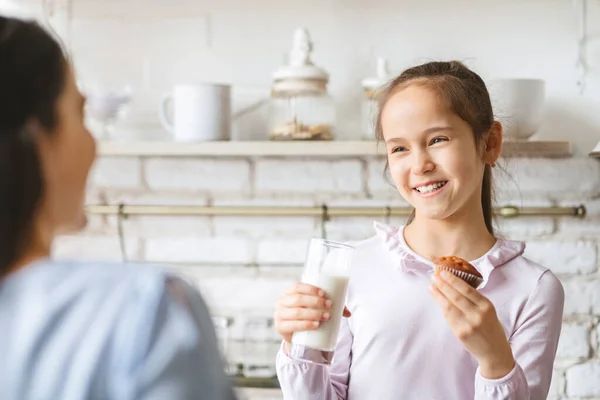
(308, 176)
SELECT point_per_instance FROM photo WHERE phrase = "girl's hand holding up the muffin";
(473, 320)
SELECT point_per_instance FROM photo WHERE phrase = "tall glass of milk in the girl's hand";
(327, 267)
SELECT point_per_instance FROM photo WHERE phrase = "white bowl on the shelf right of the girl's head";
(519, 105)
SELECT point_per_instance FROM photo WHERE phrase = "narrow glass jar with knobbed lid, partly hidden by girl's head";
(370, 105)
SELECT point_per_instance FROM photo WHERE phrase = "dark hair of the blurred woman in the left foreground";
(32, 76)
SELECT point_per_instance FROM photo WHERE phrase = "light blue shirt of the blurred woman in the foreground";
(72, 330)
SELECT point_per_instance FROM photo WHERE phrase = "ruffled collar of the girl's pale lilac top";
(404, 259)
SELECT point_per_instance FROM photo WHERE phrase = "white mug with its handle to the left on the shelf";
(201, 112)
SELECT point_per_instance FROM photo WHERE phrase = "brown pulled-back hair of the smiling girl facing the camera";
(466, 94)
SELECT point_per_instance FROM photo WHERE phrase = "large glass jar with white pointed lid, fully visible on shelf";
(300, 106)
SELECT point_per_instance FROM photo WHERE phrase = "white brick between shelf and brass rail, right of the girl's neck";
(570, 177)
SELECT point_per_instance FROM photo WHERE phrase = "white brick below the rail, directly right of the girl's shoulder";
(564, 257)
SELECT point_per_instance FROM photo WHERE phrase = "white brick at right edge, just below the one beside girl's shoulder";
(582, 296)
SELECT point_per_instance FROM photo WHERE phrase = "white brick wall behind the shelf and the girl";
(242, 43)
